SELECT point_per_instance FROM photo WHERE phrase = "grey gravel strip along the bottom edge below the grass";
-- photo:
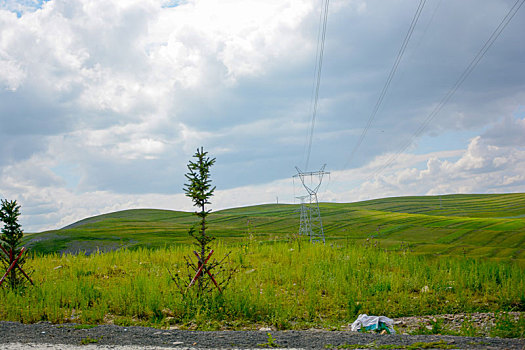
(15, 335)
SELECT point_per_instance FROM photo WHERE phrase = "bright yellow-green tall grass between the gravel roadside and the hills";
(277, 284)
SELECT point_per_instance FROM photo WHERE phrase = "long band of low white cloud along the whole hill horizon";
(47, 204)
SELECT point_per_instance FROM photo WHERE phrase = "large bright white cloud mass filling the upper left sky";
(107, 64)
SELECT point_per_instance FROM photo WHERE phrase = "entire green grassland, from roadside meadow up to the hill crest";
(396, 257)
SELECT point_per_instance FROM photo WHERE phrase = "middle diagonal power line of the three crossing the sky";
(388, 81)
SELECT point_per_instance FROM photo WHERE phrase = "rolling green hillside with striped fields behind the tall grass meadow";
(475, 225)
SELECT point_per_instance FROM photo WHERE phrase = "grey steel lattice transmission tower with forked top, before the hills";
(310, 220)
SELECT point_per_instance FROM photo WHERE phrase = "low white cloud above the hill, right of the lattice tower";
(488, 165)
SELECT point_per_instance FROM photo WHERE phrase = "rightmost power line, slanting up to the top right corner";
(472, 65)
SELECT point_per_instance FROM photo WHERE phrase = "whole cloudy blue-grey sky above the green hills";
(103, 103)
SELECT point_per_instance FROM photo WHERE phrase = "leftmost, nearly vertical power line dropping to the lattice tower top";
(317, 77)
